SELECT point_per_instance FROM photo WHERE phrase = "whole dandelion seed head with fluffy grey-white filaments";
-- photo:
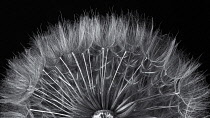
(104, 67)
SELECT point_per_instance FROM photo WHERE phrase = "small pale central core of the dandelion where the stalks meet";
(103, 114)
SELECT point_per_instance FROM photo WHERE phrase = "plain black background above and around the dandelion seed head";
(188, 21)
